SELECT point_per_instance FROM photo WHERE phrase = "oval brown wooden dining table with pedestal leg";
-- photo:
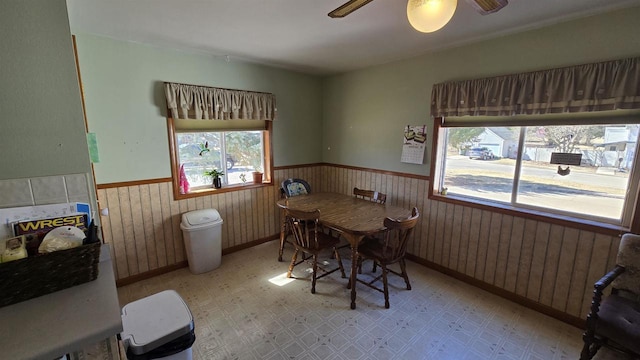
(354, 218)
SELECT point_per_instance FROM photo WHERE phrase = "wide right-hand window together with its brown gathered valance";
(558, 142)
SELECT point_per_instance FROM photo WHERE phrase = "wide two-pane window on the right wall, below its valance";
(512, 166)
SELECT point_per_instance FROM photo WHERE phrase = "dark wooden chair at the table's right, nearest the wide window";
(389, 250)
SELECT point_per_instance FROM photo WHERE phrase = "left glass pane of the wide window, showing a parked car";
(480, 162)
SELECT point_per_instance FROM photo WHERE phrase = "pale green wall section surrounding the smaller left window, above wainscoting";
(126, 107)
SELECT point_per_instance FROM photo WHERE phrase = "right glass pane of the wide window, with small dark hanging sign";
(595, 188)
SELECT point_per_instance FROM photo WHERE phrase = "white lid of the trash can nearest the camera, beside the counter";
(155, 320)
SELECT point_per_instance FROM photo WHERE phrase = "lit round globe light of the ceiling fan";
(430, 15)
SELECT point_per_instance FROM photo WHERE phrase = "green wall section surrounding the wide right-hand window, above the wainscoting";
(365, 111)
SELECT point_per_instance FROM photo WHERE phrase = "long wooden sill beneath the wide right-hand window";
(563, 220)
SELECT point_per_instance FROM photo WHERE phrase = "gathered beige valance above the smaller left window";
(201, 102)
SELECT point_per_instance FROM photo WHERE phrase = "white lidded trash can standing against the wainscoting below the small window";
(202, 233)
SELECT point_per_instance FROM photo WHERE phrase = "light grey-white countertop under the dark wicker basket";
(68, 320)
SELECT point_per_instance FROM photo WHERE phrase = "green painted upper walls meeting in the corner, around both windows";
(360, 115)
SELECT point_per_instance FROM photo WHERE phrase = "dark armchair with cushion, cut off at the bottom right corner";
(614, 321)
